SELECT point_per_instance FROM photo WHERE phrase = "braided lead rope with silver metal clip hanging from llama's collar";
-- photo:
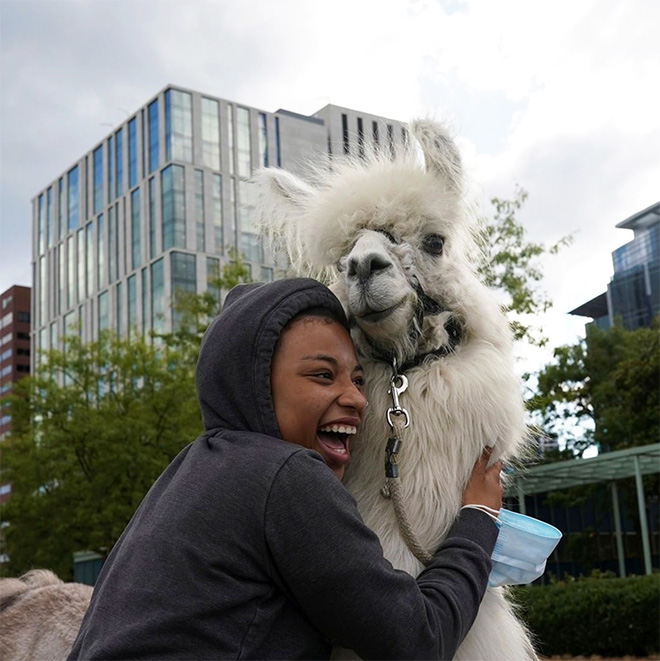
(398, 419)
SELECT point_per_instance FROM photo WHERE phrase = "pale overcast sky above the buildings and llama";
(558, 97)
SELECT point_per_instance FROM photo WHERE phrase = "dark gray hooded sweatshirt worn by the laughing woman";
(249, 547)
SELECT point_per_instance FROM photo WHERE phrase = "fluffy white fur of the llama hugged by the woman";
(334, 228)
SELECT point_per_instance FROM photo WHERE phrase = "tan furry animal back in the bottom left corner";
(40, 616)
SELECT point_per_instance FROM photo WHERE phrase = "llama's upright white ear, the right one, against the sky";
(441, 154)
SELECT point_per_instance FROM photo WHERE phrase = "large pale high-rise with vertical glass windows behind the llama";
(157, 204)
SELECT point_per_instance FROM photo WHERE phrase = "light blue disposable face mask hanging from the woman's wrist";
(522, 548)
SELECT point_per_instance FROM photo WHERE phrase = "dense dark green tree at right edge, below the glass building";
(606, 385)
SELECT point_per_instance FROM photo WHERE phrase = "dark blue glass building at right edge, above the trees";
(633, 294)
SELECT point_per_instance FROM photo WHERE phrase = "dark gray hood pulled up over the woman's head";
(233, 368)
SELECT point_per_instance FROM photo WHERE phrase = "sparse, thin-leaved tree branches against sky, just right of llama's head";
(512, 266)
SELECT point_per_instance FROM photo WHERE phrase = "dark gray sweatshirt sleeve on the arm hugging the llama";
(333, 566)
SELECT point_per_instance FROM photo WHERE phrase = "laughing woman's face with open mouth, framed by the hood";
(316, 386)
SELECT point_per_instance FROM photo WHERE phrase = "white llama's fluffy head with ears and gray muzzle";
(396, 239)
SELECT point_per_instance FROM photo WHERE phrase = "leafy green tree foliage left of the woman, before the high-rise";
(94, 427)
